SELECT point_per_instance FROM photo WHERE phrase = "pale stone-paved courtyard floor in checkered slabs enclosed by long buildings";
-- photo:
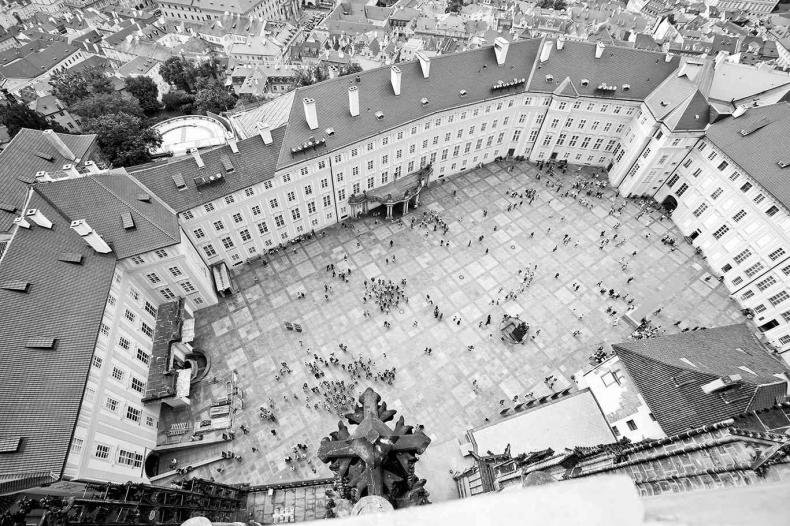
(246, 332)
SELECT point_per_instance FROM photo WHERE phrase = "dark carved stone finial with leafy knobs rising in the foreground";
(374, 463)
